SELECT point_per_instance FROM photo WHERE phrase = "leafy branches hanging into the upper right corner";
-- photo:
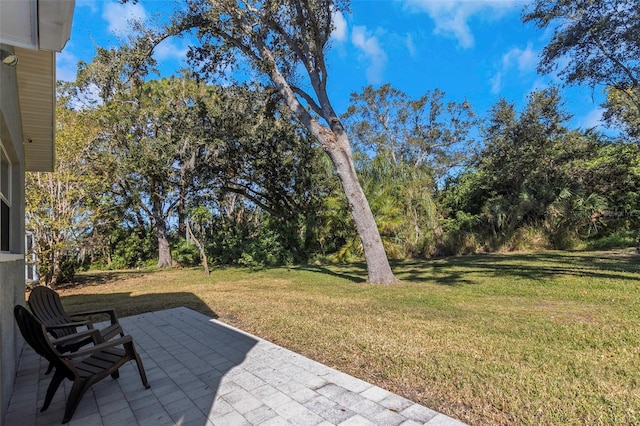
(595, 42)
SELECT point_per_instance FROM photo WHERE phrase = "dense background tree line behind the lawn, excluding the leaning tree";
(231, 165)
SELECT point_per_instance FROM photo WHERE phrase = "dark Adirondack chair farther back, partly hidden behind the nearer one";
(47, 307)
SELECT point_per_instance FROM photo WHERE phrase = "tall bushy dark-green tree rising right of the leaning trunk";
(531, 173)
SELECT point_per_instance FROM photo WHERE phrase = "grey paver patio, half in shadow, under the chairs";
(204, 372)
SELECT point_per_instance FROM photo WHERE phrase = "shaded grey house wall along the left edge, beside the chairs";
(12, 282)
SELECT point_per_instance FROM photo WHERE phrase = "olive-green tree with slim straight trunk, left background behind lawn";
(149, 144)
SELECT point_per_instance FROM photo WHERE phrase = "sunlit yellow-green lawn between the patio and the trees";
(537, 338)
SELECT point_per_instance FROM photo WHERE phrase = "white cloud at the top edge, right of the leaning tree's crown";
(451, 17)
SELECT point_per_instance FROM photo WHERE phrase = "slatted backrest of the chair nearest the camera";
(35, 334)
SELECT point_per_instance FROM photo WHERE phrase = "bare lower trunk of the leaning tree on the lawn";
(378, 268)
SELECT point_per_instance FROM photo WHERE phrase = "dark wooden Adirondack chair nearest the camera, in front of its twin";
(84, 367)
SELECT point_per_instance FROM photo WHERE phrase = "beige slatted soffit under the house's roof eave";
(36, 91)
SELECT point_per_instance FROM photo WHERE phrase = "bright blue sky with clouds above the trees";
(477, 50)
